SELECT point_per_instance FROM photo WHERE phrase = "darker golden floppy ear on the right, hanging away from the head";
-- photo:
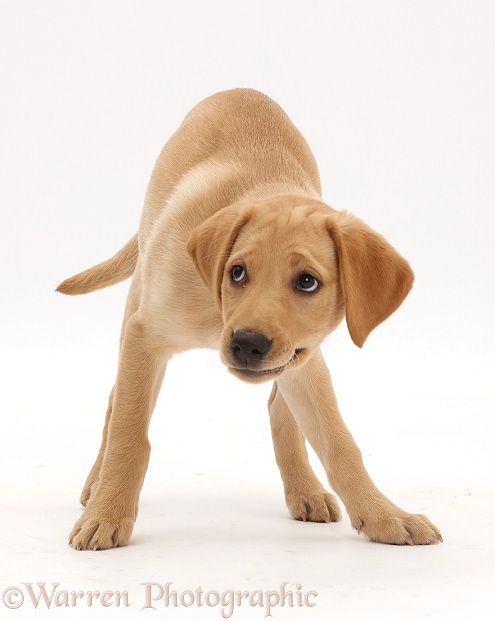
(375, 278)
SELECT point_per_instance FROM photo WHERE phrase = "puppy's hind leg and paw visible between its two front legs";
(306, 498)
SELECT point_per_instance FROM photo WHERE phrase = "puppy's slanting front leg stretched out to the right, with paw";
(309, 394)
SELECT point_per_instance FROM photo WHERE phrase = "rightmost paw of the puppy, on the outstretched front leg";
(399, 528)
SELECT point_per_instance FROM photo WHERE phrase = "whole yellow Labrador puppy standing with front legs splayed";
(237, 252)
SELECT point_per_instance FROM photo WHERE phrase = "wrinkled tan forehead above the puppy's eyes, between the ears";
(292, 235)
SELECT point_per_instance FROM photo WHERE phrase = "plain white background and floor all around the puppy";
(397, 101)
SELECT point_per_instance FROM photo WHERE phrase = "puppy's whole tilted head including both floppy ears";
(284, 271)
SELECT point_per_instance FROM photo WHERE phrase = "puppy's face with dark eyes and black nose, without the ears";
(280, 291)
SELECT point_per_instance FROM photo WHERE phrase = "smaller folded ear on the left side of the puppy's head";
(210, 244)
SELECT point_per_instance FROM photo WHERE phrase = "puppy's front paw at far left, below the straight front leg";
(100, 532)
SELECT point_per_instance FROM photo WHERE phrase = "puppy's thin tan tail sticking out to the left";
(105, 274)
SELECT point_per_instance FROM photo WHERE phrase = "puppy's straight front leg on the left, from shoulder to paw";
(109, 517)
